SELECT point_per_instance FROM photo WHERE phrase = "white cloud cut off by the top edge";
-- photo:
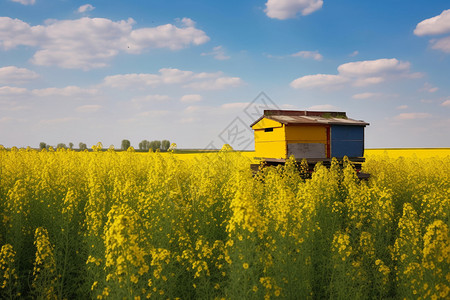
(287, 9)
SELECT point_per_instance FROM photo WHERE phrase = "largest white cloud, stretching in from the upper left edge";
(88, 43)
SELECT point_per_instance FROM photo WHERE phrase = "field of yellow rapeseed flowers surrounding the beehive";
(109, 225)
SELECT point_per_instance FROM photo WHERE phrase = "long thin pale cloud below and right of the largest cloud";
(188, 79)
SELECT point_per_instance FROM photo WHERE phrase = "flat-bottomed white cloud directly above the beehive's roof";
(359, 73)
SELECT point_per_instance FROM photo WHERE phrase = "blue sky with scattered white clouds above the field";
(190, 71)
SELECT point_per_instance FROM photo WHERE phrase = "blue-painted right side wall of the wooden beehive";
(347, 141)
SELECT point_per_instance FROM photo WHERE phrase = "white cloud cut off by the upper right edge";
(437, 25)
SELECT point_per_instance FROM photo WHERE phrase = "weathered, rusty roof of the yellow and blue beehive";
(310, 117)
